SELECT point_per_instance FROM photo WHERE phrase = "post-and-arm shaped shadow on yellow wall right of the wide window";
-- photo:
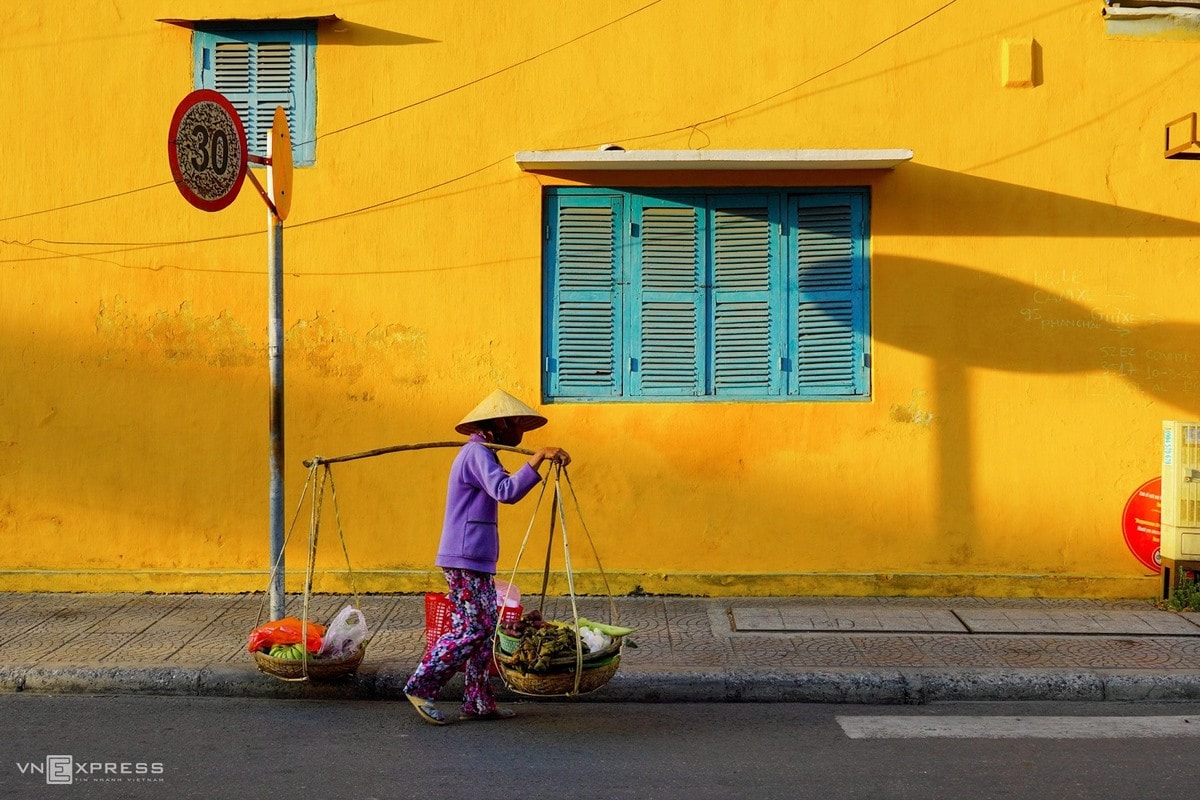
(973, 320)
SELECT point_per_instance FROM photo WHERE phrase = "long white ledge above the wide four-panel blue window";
(694, 160)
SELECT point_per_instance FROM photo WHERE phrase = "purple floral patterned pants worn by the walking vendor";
(469, 642)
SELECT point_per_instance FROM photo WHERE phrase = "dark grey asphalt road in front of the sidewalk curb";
(220, 748)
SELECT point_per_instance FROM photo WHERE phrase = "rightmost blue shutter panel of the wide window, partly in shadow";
(830, 268)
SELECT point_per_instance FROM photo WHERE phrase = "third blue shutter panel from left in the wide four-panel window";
(747, 291)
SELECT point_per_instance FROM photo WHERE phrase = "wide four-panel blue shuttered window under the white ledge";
(706, 294)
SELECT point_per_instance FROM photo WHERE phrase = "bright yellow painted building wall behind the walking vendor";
(1033, 292)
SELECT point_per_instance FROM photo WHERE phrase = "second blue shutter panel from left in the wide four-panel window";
(668, 338)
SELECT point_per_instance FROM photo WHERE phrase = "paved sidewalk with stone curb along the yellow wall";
(689, 649)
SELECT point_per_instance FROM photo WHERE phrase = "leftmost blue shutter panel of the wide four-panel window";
(584, 352)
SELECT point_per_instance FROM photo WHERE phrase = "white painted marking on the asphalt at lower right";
(1034, 727)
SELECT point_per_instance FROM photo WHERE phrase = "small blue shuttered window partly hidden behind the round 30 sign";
(259, 70)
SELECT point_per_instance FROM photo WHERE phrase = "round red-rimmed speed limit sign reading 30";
(207, 147)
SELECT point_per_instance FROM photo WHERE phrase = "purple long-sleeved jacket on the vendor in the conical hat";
(471, 539)
